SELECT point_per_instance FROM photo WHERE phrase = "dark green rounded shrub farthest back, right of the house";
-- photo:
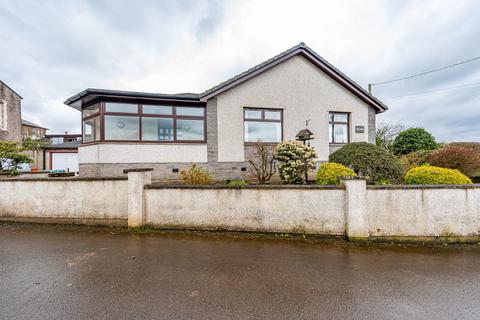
(413, 139)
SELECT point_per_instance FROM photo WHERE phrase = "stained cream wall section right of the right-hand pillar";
(423, 211)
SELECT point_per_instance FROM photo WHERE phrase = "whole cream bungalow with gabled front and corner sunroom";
(270, 102)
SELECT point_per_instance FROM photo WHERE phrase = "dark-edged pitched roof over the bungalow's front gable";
(311, 55)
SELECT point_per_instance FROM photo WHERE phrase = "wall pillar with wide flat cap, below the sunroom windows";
(137, 180)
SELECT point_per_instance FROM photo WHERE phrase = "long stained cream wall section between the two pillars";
(301, 210)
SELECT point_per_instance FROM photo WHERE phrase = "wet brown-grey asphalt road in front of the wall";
(58, 272)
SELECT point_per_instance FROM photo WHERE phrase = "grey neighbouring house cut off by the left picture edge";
(10, 114)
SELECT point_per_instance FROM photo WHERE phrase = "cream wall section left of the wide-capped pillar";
(91, 201)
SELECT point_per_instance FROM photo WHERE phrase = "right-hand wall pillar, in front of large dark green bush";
(356, 227)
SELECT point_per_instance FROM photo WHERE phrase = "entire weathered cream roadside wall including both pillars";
(353, 209)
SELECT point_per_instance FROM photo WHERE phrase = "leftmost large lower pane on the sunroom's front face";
(121, 128)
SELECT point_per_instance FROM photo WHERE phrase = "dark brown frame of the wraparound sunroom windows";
(140, 115)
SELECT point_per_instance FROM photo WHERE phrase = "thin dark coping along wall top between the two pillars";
(251, 187)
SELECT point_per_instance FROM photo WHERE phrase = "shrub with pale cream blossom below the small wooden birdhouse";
(294, 159)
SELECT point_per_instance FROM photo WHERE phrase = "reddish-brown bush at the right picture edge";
(466, 160)
